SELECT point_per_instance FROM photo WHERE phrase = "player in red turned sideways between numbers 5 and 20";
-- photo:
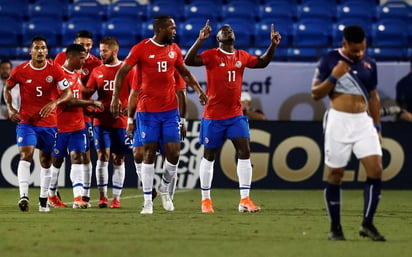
(72, 133)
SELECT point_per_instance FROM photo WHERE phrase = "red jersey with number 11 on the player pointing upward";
(224, 72)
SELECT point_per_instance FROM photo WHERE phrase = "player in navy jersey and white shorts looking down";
(352, 124)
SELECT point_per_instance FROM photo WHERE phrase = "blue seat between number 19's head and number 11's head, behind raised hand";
(189, 32)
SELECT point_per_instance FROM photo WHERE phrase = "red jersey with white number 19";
(156, 67)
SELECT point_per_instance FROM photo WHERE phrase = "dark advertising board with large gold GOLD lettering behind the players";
(285, 155)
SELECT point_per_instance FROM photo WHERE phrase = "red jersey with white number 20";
(102, 81)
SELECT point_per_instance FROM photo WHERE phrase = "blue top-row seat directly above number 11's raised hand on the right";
(278, 10)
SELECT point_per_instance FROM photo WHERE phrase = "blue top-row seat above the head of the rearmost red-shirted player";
(89, 9)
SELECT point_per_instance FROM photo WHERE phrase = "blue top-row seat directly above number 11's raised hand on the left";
(204, 10)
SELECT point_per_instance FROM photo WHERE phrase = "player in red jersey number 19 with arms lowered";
(157, 59)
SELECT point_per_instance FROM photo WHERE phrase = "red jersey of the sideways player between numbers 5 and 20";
(71, 119)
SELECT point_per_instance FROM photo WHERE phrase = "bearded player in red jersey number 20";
(109, 132)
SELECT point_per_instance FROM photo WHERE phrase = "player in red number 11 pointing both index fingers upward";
(223, 116)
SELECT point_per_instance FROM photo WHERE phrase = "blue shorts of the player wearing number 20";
(113, 138)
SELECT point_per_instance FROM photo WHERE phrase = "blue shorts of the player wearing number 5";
(40, 137)
